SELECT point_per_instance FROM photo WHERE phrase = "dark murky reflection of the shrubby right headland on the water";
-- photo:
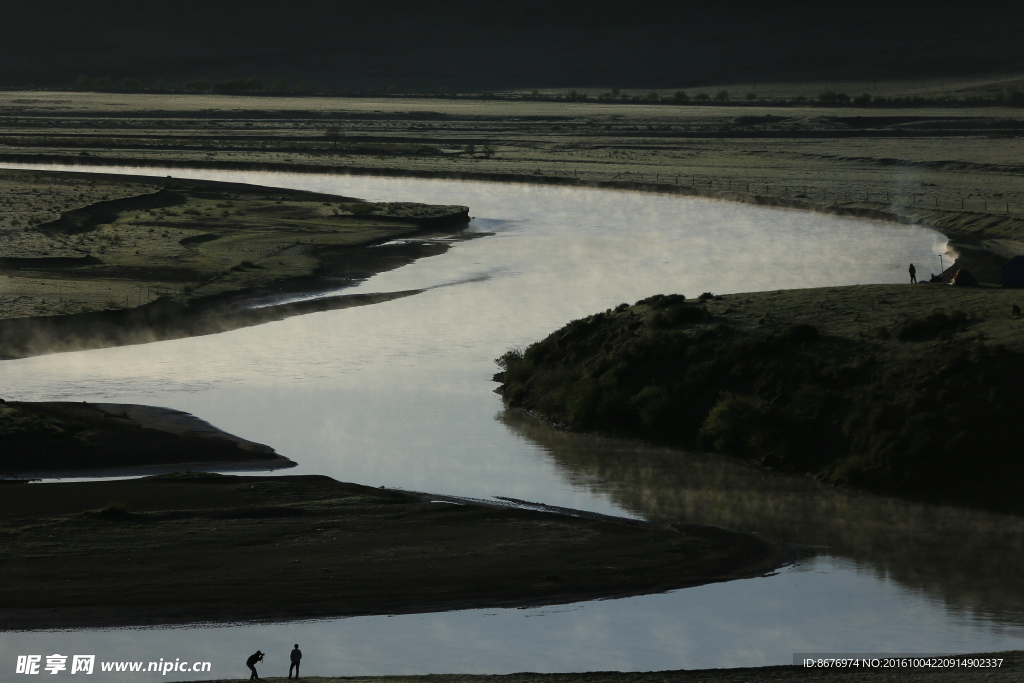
(969, 558)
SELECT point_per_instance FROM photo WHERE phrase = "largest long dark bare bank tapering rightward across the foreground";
(183, 548)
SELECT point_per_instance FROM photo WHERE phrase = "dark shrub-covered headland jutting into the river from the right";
(903, 390)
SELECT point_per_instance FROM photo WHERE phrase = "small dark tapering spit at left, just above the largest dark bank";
(47, 440)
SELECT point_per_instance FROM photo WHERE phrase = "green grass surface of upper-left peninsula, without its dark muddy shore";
(75, 244)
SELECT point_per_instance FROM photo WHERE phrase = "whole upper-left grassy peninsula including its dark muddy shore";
(96, 261)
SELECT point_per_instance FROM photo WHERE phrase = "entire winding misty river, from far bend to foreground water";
(400, 395)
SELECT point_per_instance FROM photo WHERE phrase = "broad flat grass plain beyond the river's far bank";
(956, 168)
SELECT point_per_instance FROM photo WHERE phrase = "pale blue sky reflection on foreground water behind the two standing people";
(824, 606)
